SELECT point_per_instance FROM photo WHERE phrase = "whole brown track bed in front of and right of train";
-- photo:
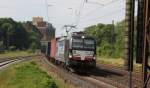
(100, 77)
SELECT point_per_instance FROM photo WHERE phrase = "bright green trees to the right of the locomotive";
(109, 37)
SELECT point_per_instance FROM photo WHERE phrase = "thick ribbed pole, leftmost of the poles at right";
(129, 38)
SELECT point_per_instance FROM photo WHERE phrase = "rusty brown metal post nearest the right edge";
(146, 44)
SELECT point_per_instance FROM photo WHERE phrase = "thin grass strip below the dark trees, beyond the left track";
(11, 54)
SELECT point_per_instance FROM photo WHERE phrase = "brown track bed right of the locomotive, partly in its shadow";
(117, 79)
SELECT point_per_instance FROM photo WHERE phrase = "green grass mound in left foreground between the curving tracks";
(25, 75)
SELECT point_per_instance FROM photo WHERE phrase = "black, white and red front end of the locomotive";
(82, 51)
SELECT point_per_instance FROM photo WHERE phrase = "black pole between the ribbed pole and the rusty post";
(140, 31)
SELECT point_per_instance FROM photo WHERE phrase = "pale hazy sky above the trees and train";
(65, 12)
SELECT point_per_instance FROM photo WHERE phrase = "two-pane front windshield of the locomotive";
(79, 43)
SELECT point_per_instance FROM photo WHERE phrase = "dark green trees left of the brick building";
(18, 35)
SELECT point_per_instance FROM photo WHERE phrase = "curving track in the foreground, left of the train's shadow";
(79, 80)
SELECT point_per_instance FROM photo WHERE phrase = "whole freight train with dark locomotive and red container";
(76, 50)
